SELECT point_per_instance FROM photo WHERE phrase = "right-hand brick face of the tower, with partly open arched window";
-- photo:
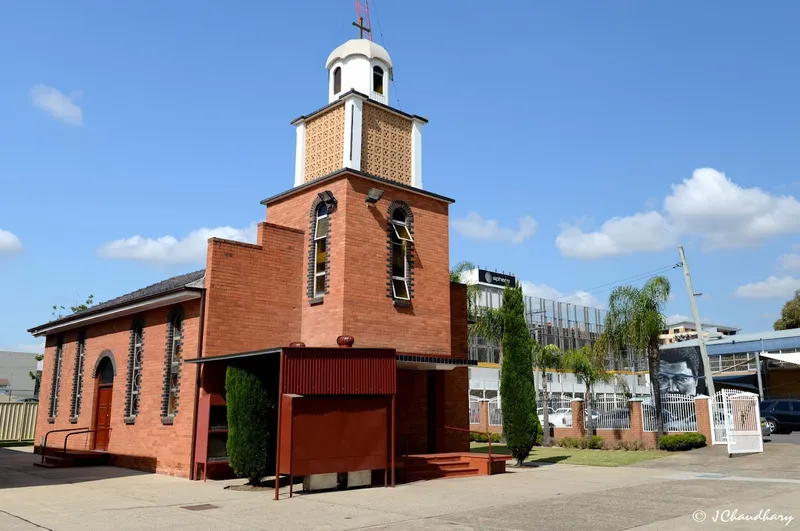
(369, 314)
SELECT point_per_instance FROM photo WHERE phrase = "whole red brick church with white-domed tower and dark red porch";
(355, 254)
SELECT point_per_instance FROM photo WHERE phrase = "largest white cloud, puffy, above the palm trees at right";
(708, 205)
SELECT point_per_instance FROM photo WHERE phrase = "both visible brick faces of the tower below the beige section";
(357, 303)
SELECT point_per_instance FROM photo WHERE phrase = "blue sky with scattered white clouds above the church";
(582, 141)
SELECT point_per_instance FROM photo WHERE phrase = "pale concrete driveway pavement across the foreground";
(662, 495)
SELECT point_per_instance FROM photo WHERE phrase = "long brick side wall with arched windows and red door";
(147, 444)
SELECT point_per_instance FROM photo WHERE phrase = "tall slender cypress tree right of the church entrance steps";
(521, 426)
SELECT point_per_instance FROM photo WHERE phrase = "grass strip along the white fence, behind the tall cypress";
(576, 456)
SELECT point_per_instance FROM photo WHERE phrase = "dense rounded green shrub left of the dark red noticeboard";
(249, 412)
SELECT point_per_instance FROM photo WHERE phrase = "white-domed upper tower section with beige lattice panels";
(359, 129)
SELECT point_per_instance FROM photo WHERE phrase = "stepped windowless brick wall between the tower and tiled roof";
(253, 292)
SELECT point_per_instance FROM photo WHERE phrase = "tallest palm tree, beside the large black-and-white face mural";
(635, 320)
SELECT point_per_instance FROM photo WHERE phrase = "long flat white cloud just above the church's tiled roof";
(170, 250)
